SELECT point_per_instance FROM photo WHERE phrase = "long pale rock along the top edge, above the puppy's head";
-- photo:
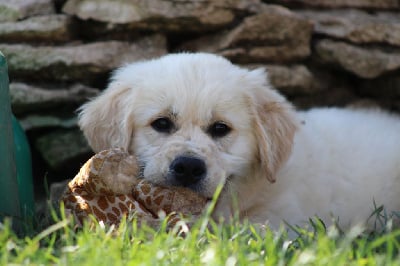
(157, 14)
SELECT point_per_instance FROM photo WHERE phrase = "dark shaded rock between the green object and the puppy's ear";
(61, 146)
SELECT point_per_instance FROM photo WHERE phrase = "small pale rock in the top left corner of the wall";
(13, 10)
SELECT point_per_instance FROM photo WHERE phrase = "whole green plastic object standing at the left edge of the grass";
(16, 189)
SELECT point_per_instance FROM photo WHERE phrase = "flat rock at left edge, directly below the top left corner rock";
(48, 28)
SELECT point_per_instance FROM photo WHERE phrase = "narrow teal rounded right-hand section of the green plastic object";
(23, 162)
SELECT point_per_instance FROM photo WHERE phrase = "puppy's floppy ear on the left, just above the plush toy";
(105, 121)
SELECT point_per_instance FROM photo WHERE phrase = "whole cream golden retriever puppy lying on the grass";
(196, 120)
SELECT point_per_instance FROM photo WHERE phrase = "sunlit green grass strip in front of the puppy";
(230, 244)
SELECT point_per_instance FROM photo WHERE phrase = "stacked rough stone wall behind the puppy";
(61, 52)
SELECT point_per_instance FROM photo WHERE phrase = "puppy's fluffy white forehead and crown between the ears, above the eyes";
(192, 86)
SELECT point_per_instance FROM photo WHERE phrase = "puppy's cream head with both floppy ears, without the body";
(193, 120)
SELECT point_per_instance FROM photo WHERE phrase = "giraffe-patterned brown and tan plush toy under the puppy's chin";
(107, 188)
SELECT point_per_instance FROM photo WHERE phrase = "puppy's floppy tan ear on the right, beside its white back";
(275, 125)
